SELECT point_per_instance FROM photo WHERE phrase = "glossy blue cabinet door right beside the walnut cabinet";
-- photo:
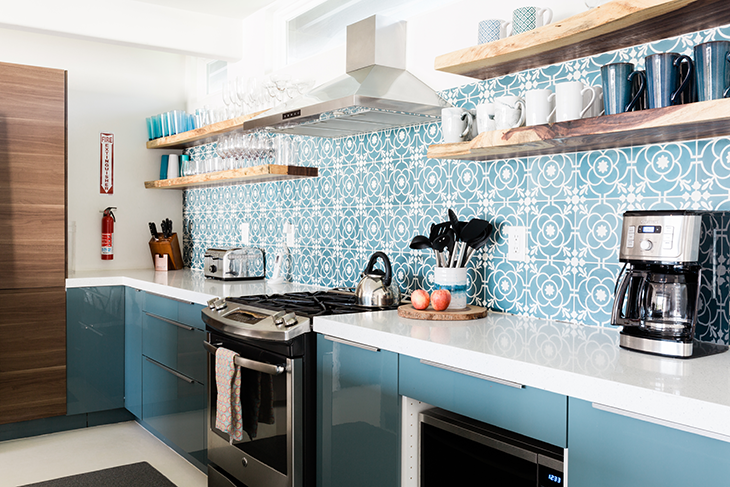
(94, 349)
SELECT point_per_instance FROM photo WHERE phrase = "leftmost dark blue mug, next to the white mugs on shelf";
(617, 80)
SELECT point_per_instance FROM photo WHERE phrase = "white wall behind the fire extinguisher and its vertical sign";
(110, 89)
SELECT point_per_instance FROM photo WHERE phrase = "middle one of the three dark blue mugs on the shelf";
(663, 74)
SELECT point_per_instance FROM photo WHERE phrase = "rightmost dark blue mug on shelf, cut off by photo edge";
(712, 68)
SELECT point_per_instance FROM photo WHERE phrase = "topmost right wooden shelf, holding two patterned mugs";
(615, 25)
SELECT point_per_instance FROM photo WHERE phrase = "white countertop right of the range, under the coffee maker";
(579, 361)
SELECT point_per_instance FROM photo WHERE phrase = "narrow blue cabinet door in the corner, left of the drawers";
(133, 304)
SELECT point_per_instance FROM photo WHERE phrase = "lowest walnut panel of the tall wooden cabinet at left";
(32, 394)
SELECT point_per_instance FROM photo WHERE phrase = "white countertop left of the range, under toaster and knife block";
(183, 284)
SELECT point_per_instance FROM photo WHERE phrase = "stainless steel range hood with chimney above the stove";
(376, 93)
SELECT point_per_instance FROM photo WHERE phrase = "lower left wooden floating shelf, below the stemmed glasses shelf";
(246, 175)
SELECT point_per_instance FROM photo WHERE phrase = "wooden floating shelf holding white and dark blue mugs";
(683, 122)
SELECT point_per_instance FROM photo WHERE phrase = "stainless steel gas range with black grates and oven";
(271, 335)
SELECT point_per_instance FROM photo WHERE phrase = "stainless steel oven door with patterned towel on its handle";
(269, 455)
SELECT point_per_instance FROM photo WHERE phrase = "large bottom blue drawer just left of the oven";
(174, 406)
